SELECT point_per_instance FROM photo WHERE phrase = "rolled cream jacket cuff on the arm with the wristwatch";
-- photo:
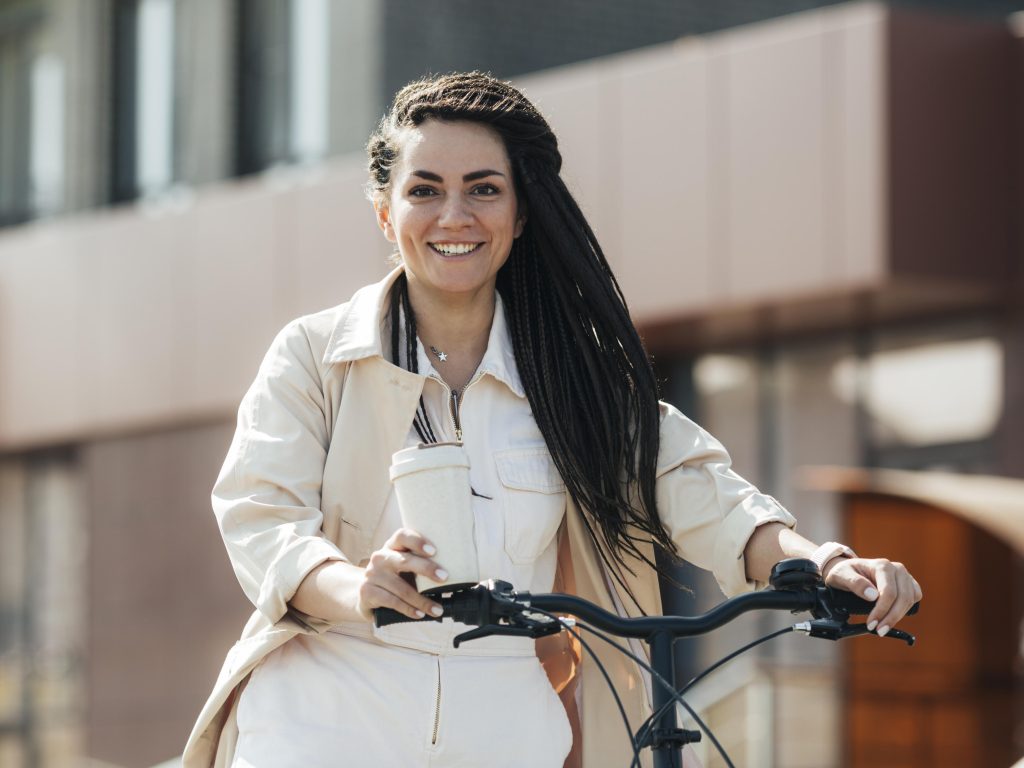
(739, 526)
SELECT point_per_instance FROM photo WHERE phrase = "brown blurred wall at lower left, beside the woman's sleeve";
(163, 605)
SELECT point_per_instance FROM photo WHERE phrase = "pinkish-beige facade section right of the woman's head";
(738, 168)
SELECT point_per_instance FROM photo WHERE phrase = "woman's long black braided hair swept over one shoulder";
(587, 376)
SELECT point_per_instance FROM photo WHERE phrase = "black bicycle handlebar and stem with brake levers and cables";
(496, 609)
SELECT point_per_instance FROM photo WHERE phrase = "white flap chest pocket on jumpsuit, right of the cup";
(533, 501)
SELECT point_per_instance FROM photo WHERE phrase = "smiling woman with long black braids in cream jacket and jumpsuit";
(503, 328)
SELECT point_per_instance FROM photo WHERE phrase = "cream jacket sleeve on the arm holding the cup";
(268, 497)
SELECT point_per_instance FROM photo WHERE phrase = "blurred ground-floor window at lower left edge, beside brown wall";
(42, 570)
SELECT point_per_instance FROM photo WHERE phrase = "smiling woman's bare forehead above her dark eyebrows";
(451, 147)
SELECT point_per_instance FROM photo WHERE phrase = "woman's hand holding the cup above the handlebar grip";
(383, 585)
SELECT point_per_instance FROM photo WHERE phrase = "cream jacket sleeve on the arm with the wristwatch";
(709, 510)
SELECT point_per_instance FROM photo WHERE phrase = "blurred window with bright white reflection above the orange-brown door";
(915, 398)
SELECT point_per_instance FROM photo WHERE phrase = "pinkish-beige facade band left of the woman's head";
(147, 317)
